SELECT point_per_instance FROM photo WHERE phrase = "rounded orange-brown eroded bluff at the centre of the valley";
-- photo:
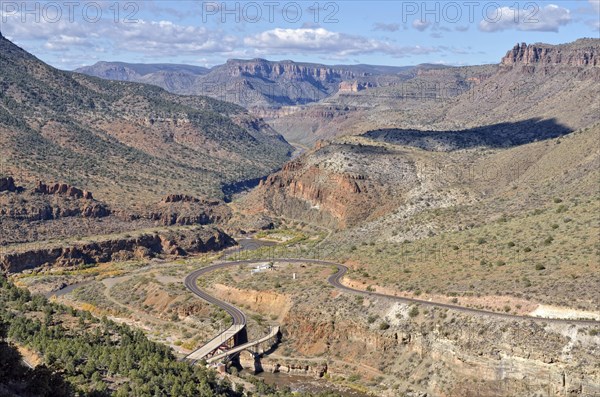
(337, 185)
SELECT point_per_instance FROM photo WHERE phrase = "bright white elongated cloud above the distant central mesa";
(323, 41)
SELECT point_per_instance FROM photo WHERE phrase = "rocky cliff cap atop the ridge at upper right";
(575, 54)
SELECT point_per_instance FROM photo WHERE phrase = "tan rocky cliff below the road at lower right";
(445, 353)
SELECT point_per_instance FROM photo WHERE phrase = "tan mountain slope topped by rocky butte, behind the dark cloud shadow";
(532, 81)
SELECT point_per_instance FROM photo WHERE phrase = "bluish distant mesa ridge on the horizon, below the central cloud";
(250, 83)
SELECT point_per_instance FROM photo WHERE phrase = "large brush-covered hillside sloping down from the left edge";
(125, 141)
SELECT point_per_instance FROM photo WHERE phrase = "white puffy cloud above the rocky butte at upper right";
(543, 19)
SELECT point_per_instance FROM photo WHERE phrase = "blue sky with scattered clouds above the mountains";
(70, 34)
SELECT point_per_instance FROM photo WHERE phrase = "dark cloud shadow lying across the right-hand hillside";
(503, 135)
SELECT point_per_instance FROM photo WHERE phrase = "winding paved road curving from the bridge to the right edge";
(239, 318)
